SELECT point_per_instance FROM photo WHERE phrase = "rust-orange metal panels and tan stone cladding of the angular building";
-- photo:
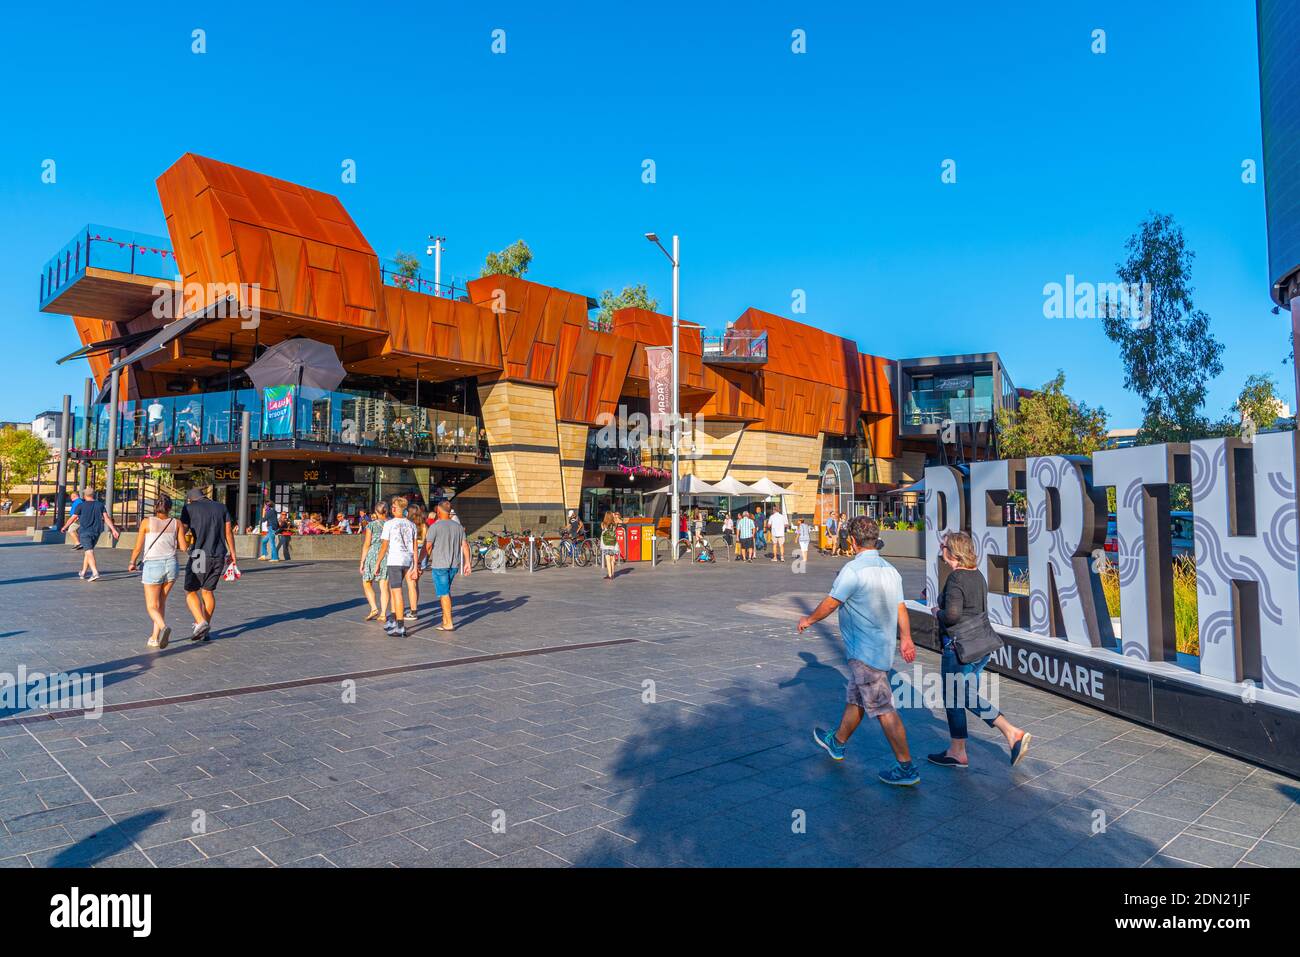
(525, 345)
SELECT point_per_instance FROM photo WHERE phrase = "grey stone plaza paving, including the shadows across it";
(530, 737)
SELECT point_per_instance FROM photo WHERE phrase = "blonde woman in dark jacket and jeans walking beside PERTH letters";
(968, 642)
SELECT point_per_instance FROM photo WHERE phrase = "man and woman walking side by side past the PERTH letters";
(869, 599)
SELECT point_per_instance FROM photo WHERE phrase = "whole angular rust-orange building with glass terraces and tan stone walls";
(505, 393)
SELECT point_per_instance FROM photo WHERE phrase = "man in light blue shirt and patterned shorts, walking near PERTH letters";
(868, 592)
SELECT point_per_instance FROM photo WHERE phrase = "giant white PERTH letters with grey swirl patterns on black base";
(1246, 544)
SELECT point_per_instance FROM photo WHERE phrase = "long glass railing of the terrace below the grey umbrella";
(151, 428)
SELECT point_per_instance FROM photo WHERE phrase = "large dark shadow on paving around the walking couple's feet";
(731, 777)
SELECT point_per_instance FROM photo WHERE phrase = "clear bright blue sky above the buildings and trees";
(817, 172)
